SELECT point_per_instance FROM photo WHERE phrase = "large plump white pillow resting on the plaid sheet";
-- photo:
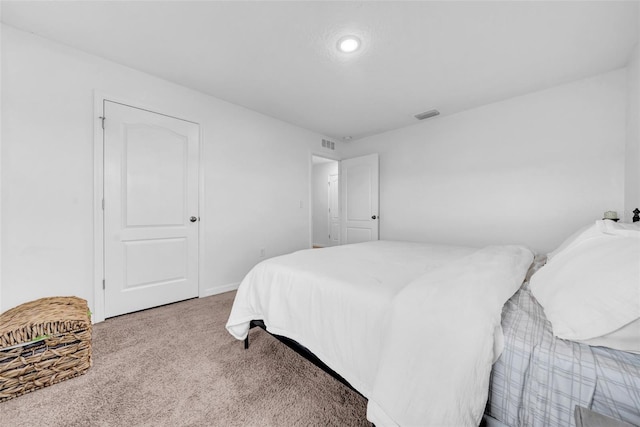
(591, 287)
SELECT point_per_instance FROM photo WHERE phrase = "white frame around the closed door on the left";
(99, 97)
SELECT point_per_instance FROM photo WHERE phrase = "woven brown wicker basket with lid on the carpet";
(43, 342)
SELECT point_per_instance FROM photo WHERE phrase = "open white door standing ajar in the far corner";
(359, 196)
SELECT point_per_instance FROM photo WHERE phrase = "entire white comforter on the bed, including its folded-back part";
(397, 320)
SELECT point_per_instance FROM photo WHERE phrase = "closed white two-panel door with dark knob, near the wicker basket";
(150, 209)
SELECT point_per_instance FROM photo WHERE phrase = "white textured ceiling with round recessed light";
(280, 58)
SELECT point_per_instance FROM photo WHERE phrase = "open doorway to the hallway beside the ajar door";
(325, 202)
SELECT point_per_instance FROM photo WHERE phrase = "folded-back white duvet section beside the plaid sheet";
(438, 350)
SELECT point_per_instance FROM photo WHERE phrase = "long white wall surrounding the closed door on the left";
(256, 171)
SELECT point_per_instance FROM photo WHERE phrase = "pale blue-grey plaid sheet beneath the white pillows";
(539, 379)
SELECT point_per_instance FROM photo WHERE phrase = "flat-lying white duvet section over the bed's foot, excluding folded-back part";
(334, 301)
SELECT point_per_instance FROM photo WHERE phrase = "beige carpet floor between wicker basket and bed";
(177, 366)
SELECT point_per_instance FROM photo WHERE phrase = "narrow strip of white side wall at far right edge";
(632, 155)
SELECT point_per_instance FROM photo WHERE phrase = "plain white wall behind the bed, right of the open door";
(528, 170)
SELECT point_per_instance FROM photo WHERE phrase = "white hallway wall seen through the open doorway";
(320, 201)
